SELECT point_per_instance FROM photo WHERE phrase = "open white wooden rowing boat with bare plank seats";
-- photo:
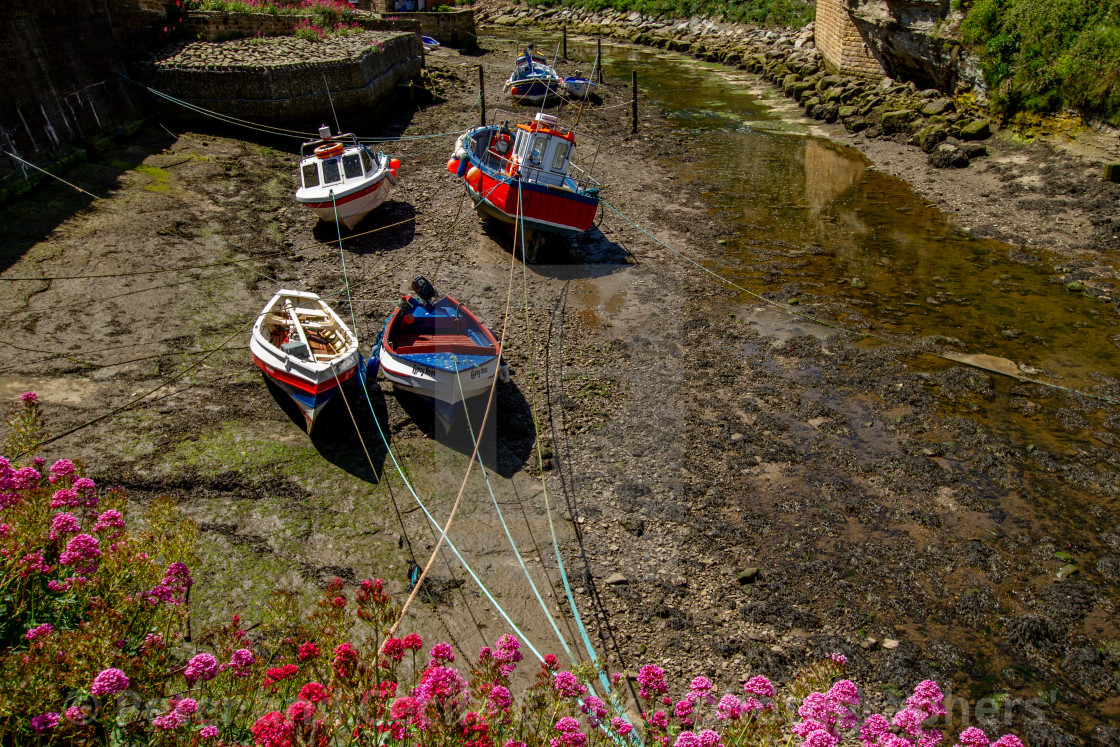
(304, 347)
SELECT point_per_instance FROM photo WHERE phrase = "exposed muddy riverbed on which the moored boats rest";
(735, 490)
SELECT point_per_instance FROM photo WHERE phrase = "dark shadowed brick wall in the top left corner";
(59, 78)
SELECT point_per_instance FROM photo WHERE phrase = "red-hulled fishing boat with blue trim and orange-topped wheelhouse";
(527, 176)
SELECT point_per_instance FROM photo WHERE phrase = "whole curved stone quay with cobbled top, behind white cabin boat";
(285, 80)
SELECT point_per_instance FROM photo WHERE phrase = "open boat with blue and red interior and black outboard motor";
(434, 347)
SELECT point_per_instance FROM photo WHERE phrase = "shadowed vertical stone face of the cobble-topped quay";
(288, 94)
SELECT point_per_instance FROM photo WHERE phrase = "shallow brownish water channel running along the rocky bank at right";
(809, 222)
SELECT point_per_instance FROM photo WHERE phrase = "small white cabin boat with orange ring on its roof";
(341, 178)
